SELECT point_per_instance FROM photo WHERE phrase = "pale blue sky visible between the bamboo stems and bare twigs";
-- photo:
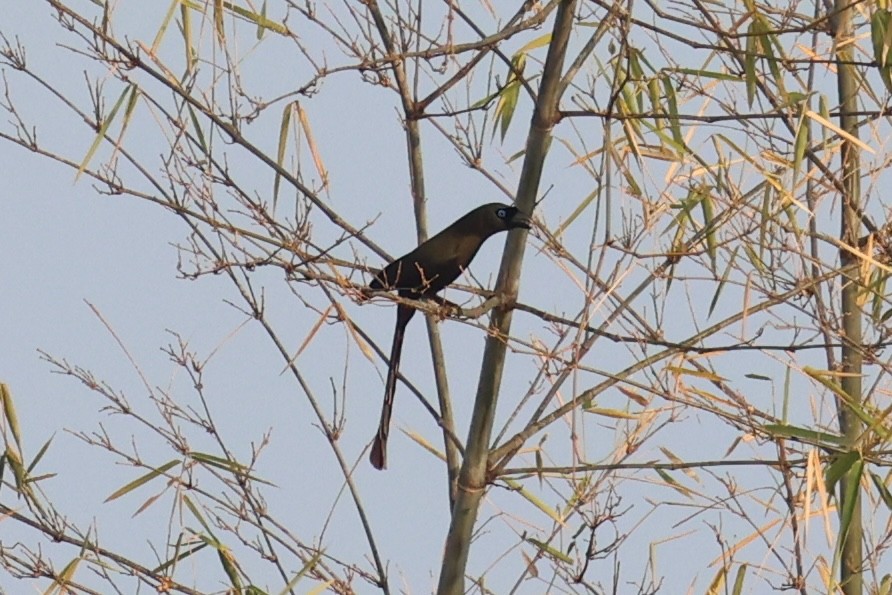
(65, 246)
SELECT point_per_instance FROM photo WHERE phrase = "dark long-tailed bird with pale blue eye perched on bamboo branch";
(422, 273)
